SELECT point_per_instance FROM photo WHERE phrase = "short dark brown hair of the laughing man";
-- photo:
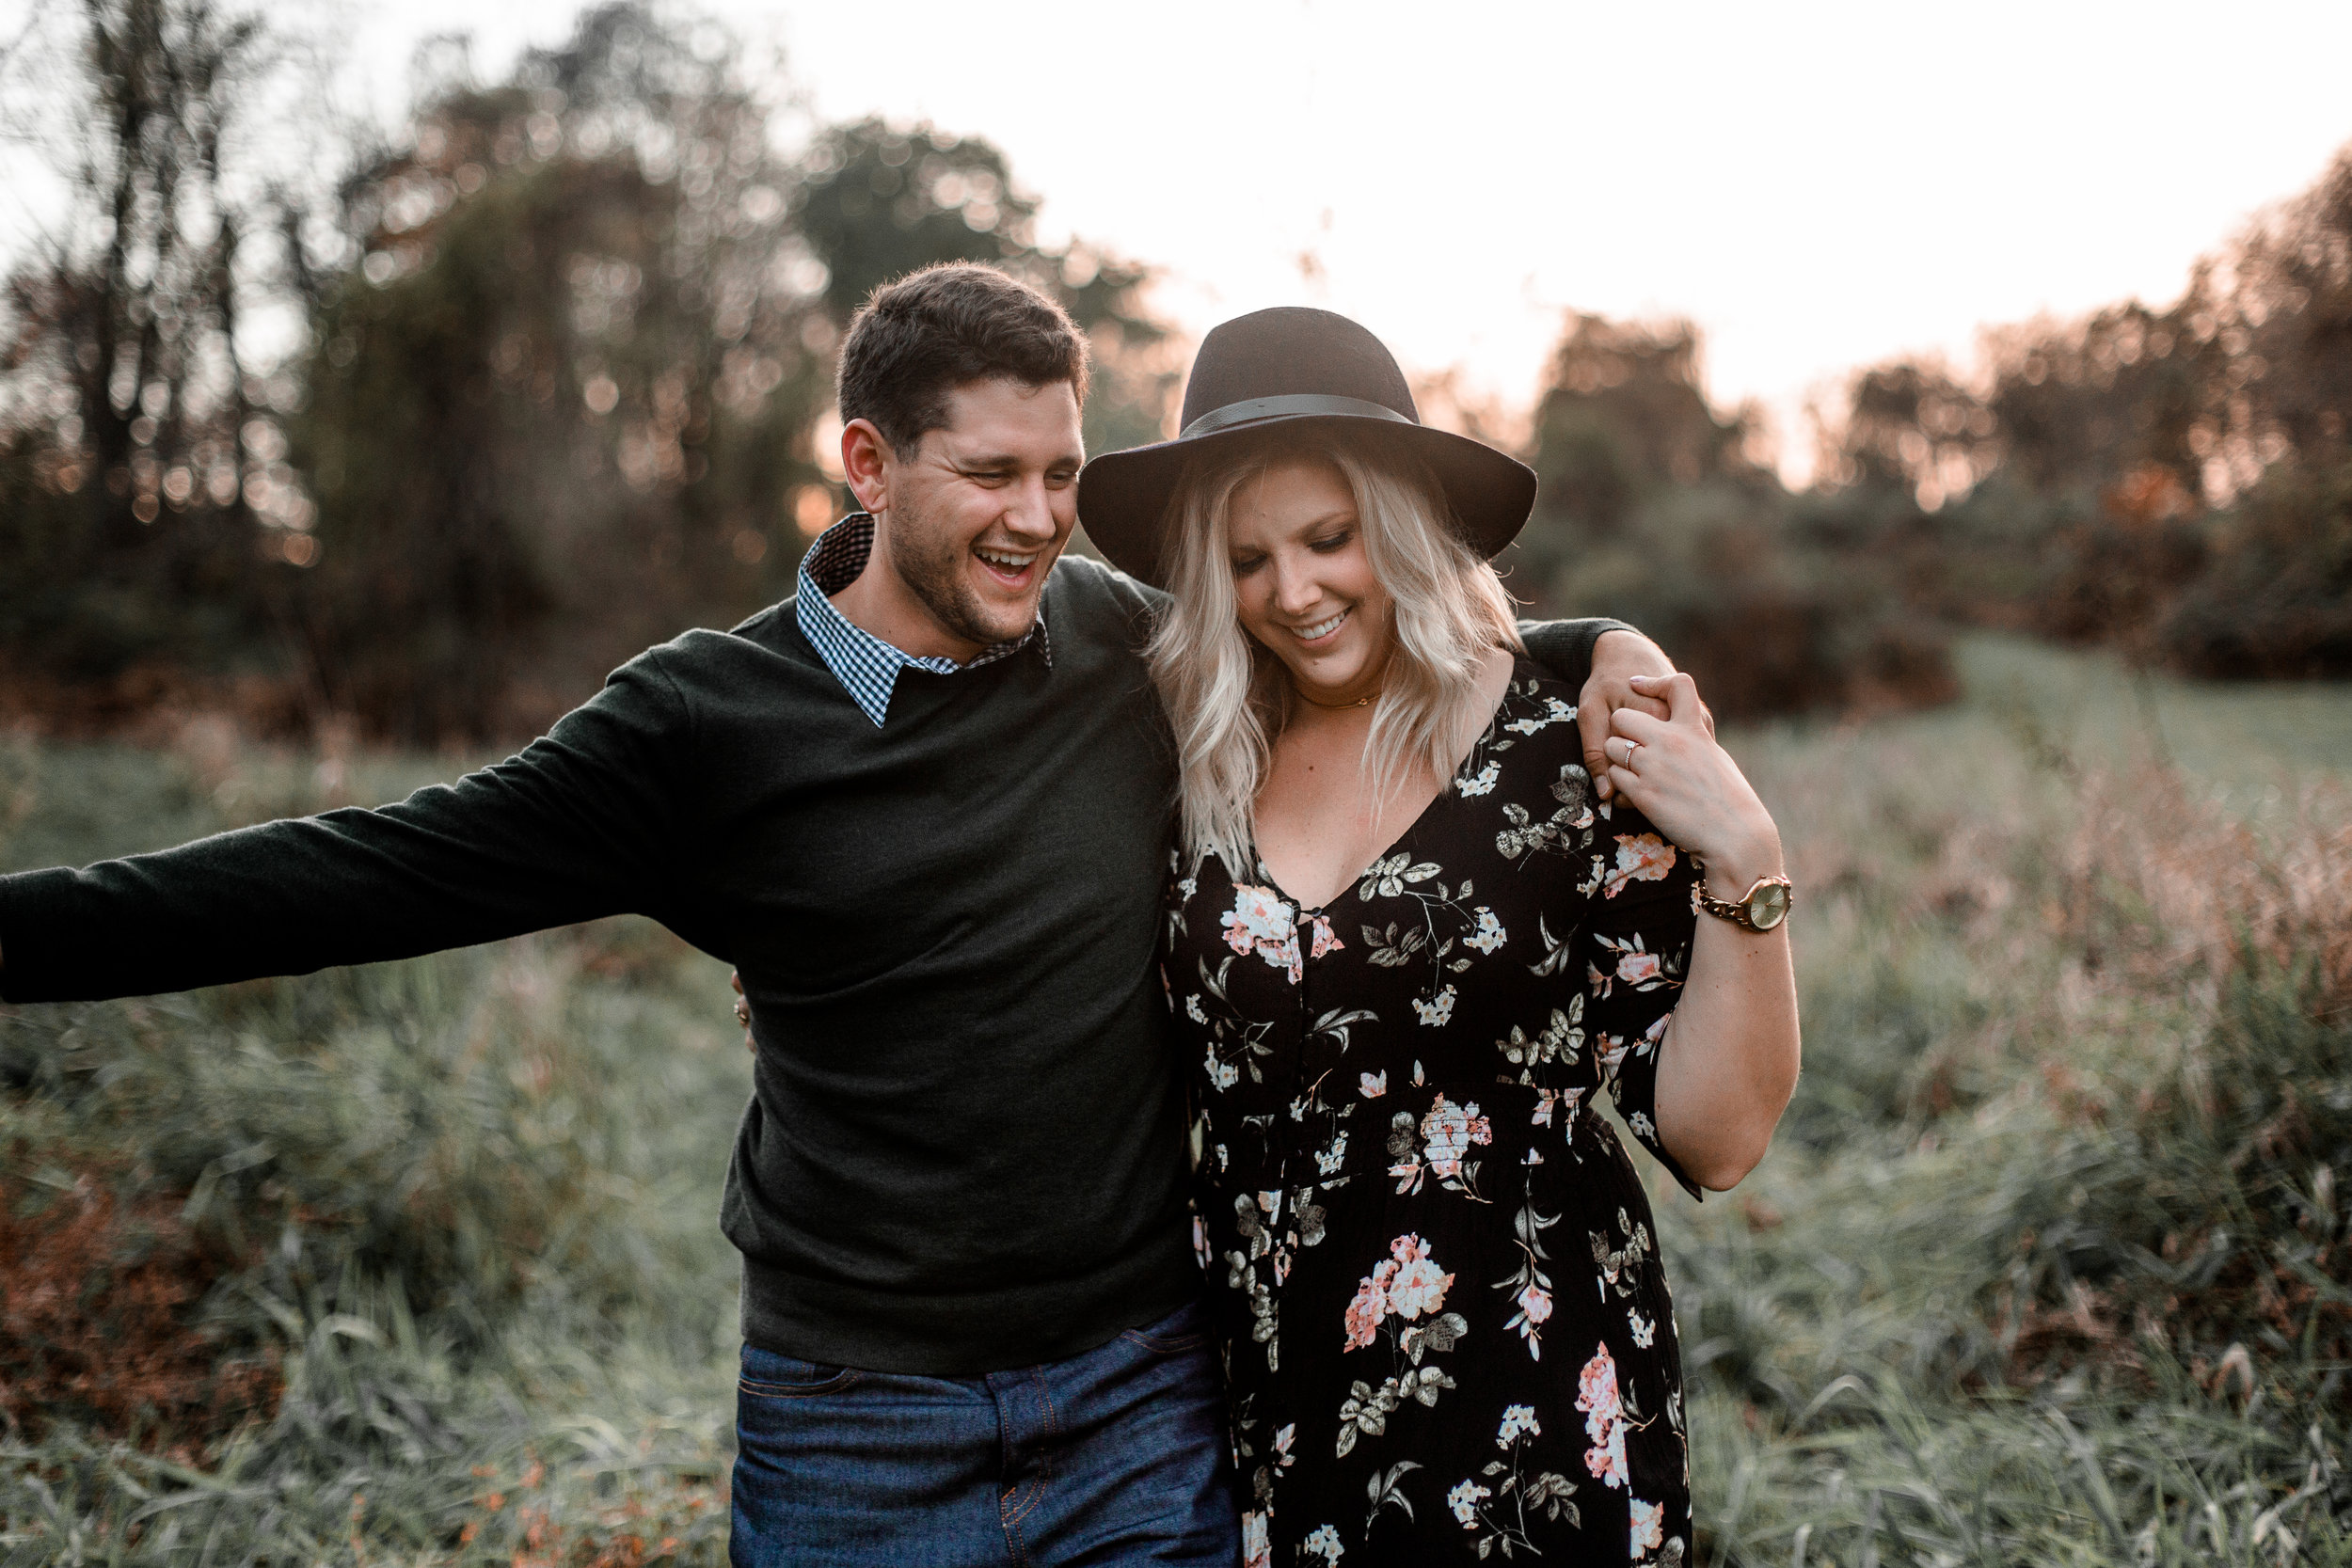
(949, 326)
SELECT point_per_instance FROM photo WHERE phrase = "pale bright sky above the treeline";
(1815, 185)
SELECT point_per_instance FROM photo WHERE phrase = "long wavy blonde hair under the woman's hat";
(1229, 697)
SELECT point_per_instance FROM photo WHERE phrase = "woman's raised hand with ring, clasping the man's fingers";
(1678, 777)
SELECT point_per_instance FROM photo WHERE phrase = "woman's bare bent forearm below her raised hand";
(1730, 1059)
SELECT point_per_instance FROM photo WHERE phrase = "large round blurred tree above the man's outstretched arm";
(559, 398)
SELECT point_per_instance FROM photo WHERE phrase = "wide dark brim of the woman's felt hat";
(1123, 497)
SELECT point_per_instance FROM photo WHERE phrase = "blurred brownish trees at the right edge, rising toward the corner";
(2151, 478)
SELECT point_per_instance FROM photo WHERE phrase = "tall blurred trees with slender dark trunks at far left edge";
(133, 460)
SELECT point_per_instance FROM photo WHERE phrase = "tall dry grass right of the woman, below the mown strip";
(2050, 1264)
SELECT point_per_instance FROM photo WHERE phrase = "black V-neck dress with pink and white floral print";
(1431, 1261)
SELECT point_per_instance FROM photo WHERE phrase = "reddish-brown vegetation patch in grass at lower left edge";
(98, 1322)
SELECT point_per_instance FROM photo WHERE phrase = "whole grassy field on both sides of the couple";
(2050, 1264)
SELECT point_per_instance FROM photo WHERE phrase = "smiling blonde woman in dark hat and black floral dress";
(1405, 949)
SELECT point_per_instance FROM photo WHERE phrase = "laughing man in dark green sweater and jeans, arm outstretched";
(923, 810)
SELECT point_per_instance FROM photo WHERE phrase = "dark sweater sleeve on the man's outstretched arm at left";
(582, 824)
